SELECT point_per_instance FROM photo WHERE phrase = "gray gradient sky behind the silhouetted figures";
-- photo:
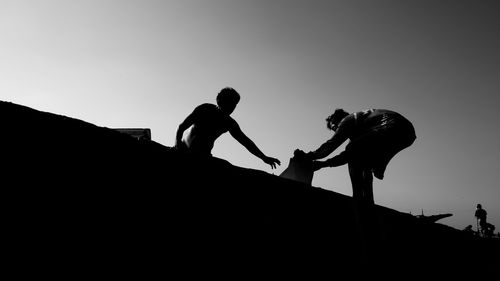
(149, 63)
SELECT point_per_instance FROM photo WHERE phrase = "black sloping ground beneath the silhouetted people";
(87, 200)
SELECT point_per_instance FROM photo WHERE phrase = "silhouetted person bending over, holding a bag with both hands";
(375, 135)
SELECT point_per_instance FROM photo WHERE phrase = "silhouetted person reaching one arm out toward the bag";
(208, 122)
